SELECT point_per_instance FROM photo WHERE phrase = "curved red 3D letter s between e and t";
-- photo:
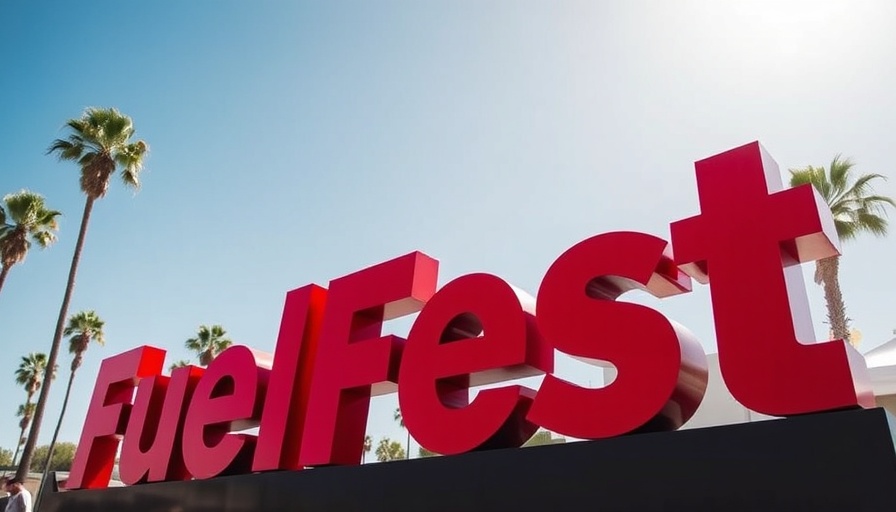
(661, 368)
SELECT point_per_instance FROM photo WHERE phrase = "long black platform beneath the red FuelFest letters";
(832, 461)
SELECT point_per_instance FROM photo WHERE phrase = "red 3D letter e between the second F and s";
(476, 330)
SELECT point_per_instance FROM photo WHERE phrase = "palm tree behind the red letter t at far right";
(856, 210)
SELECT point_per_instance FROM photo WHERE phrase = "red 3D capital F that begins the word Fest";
(353, 356)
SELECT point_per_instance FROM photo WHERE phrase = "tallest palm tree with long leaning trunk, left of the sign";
(99, 142)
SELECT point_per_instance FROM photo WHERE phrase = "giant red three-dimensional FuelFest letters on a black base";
(310, 398)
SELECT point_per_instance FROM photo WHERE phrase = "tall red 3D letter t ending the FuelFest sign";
(750, 236)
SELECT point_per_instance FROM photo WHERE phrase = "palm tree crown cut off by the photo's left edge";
(25, 219)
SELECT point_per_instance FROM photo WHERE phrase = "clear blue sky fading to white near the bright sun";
(295, 142)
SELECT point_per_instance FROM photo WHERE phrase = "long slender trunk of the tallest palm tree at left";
(28, 451)
